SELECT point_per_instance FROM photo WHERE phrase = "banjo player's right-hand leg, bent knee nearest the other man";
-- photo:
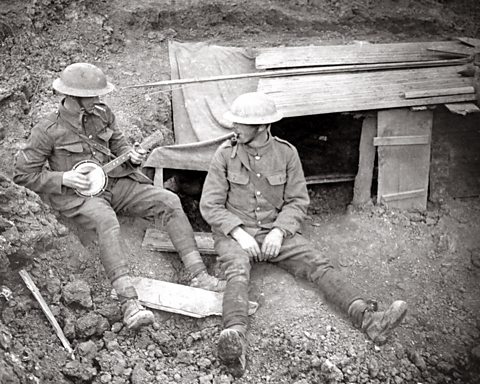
(148, 201)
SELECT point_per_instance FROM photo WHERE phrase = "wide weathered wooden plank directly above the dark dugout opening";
(331, 93)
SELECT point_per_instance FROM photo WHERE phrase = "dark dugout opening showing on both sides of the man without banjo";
(328, 146)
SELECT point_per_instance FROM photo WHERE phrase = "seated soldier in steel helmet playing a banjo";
(79, 142)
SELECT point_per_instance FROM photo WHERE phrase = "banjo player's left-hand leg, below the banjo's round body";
(96, 213)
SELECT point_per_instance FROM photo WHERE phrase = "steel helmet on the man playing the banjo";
(82, 80)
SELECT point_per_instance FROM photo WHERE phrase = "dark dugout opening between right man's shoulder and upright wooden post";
(328, 146)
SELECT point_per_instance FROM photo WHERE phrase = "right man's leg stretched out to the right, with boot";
(298, 256)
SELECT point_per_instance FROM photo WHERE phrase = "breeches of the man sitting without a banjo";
(297, 256)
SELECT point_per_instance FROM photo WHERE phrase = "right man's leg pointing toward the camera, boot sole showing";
(232, 342)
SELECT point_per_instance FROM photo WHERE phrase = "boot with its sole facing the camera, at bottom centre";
(232, 347)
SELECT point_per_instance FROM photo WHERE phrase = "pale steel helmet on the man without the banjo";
(253, 108)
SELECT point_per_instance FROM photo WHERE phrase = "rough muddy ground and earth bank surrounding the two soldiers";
(429, 259)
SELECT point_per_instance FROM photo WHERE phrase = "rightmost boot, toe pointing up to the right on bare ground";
(377, 324)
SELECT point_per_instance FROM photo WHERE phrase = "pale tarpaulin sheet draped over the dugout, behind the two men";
(198, 108)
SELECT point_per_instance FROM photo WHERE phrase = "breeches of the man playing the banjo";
(129, 197)
